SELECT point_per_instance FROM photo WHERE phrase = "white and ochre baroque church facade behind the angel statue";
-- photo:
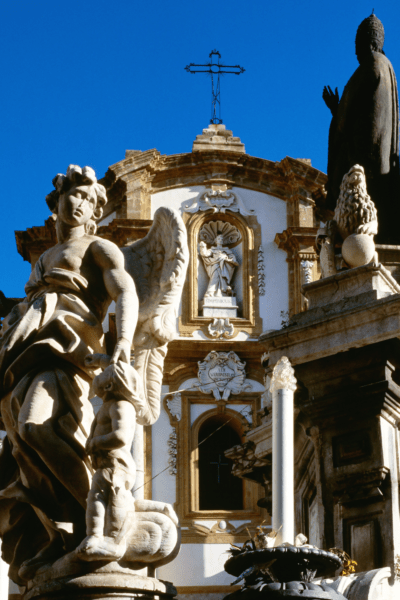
(251, 226)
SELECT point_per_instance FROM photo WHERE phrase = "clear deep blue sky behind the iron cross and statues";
(84, 81)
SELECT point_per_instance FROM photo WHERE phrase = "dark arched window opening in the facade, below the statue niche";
(218, 488)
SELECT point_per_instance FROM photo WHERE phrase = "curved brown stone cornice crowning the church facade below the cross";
(131, 182)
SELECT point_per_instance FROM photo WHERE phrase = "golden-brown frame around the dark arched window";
(187, 459)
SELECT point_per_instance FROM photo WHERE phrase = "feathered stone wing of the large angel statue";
(158, 265)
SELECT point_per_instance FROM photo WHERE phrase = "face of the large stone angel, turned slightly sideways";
(77, 205)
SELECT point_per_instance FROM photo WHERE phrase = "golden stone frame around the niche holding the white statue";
(250, 231)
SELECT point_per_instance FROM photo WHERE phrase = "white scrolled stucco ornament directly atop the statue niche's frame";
(218, 199)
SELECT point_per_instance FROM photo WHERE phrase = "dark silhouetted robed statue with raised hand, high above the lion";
(365, 130)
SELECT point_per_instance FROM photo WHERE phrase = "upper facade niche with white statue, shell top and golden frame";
(220, 297)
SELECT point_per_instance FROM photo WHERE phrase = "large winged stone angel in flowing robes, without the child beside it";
(45, 382)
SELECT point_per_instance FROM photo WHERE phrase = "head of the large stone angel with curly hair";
(78, 198)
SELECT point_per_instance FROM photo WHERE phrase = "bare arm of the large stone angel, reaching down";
(120, 287)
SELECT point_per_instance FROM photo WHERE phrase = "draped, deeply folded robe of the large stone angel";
(53, 329)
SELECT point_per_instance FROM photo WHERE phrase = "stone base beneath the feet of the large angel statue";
(67, 580)
